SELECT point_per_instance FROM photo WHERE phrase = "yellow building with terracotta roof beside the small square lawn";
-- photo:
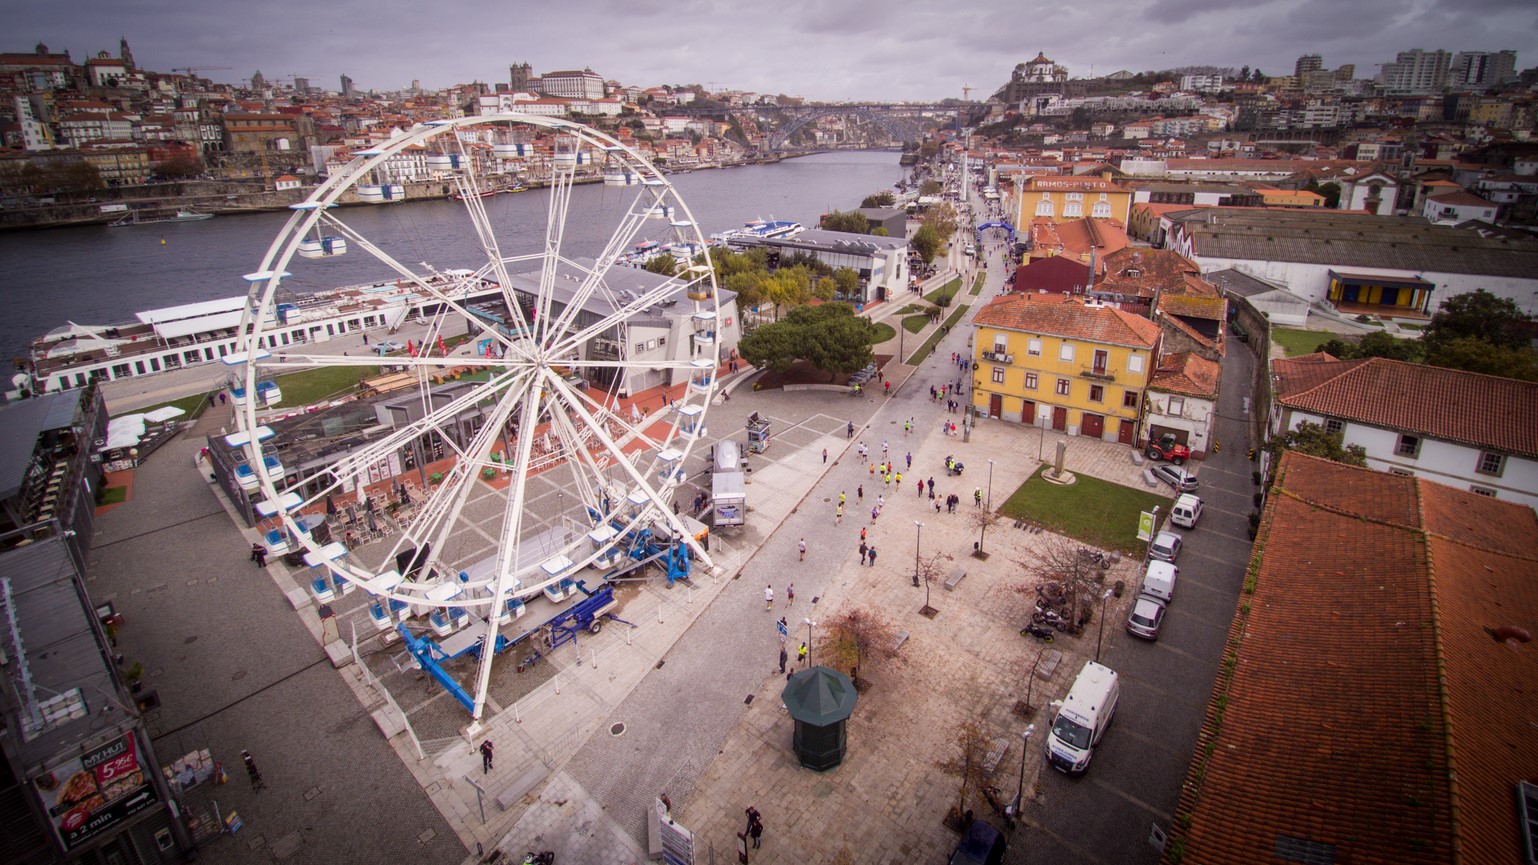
(1057, 362)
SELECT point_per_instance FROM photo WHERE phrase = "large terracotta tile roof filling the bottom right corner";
(1368, 715)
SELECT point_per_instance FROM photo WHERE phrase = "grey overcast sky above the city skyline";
(827, 50)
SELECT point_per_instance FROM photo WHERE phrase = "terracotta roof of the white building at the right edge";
(1453, 406)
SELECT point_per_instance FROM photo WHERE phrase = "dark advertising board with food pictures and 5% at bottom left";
(96, 792)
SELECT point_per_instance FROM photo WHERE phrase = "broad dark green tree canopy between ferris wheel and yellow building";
(828, 336)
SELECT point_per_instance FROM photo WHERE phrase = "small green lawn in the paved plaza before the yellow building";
(1094, 512)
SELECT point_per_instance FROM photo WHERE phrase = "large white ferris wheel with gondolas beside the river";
(536, 466)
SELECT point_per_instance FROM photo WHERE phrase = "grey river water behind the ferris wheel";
(101, 276)
